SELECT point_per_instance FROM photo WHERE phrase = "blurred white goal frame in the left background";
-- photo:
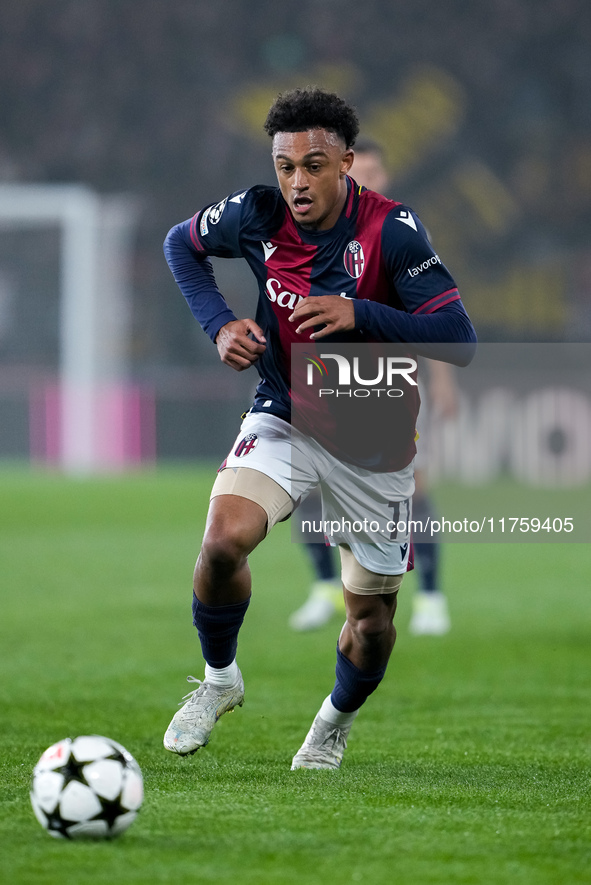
(95, 251)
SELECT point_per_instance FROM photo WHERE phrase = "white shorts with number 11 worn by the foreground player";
(367, 511)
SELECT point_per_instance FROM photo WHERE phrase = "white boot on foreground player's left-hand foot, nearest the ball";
(192, 725)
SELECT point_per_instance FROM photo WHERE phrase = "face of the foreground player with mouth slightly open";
(311, 170)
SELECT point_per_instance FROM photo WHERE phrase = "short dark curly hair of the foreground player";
(312, 108)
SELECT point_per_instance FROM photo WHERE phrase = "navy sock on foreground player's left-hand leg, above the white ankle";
(218, 626)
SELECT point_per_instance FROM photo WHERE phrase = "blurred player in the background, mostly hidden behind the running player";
(430, 613)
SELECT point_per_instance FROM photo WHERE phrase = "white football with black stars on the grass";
(87, 787)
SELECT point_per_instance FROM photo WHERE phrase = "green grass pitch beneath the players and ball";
(469, 765)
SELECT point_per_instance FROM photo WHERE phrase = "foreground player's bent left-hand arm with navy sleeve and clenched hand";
(214, 231)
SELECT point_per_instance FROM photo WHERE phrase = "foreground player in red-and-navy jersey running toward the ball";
(296, 240)
